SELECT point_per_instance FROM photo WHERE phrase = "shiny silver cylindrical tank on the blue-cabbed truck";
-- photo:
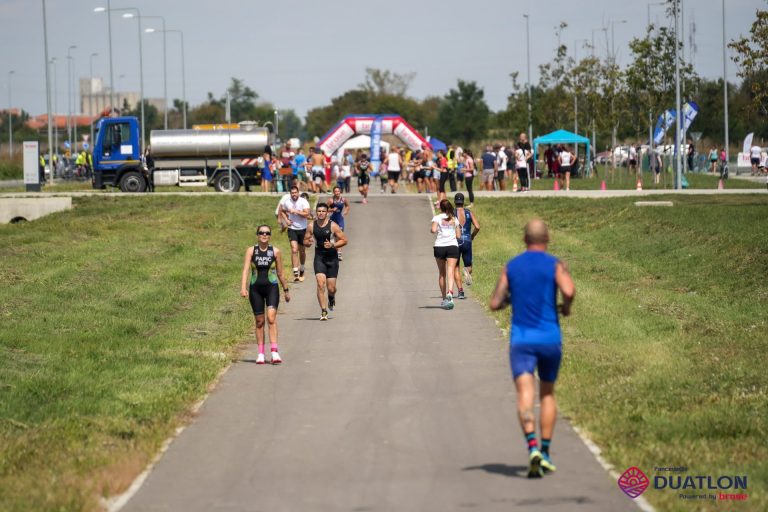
(204, 143)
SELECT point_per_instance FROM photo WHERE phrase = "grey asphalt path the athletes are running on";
(392, 405)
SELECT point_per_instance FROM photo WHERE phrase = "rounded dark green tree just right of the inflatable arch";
(464, 115)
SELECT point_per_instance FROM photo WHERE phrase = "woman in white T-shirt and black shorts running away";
(446, 249)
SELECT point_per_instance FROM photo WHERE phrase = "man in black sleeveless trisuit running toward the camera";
(329, 238)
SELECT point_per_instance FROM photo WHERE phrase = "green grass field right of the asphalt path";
(666, 351)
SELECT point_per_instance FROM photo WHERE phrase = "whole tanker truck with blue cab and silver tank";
(185, 158)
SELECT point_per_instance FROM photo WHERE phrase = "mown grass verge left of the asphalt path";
(116, 316)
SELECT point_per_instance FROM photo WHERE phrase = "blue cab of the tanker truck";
(117, 158)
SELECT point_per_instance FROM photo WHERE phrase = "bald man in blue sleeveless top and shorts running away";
(530, 283)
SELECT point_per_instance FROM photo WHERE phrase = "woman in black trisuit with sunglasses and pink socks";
(264, 264)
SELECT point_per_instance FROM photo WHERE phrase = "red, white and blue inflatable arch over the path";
(375, 126)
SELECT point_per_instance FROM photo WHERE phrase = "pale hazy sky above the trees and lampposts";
(301, 53)
